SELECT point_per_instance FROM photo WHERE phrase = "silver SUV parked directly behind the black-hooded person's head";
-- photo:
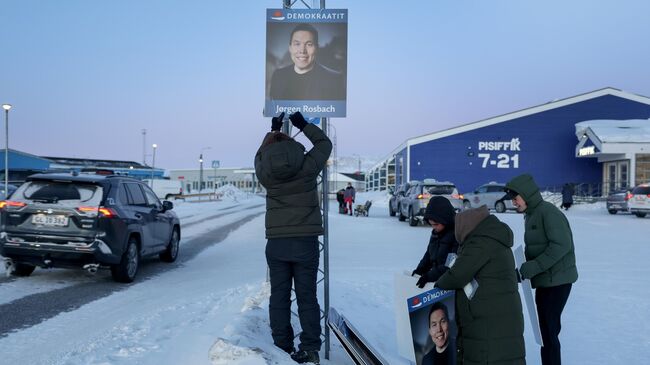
(414, 202)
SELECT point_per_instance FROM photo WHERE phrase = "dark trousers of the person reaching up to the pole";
(294, 260)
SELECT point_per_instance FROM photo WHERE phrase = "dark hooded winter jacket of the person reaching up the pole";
(289, 176)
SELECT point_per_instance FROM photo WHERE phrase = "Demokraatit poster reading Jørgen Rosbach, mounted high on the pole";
(306, 62)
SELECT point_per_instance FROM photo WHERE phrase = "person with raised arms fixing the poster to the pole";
(293, 224)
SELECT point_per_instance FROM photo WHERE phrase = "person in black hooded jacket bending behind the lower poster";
(441, 215)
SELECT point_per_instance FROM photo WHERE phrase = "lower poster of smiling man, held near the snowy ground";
(433, 327)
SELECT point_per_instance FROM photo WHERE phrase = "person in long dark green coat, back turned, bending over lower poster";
(490, 321)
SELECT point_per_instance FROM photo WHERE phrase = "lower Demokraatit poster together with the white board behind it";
(426, 323)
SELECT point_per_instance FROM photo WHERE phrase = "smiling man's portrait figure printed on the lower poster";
(443, 353)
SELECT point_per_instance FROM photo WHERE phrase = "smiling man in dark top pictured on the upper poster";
(305, 78)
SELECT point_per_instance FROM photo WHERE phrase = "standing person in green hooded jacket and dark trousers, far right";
(550, 259)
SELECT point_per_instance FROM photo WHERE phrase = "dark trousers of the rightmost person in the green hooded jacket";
(550, 303)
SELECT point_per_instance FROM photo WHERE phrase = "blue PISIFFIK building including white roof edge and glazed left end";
(540, 140)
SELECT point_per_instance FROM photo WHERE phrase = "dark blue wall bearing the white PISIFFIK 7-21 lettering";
(542, 144)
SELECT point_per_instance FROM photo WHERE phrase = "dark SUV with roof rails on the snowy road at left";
(89, 221)
